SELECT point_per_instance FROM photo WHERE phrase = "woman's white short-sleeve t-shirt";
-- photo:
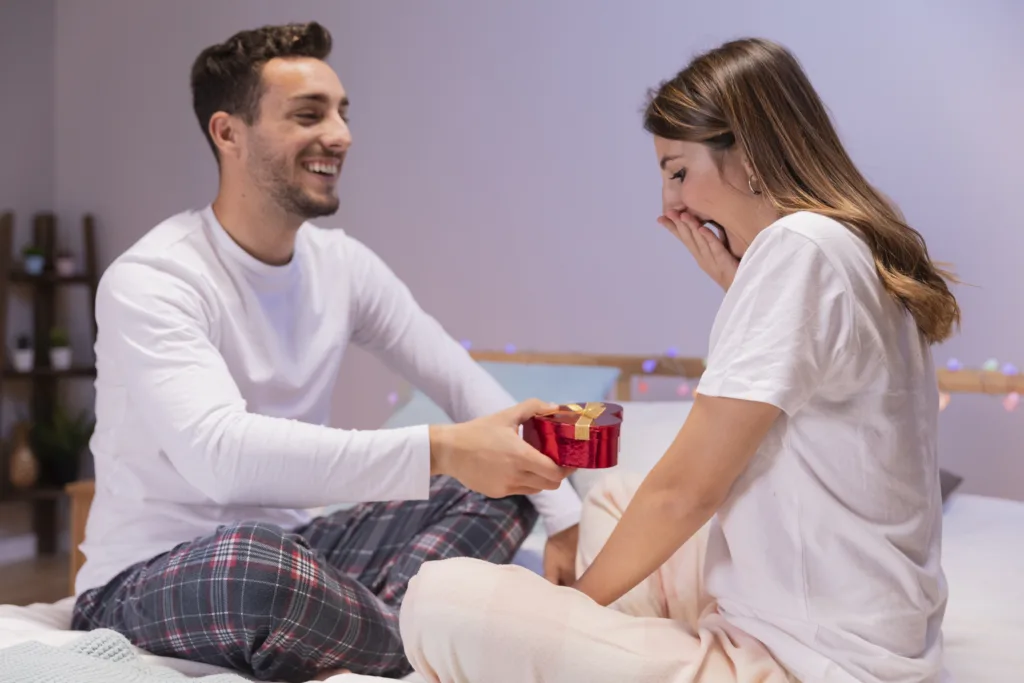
(828, 549)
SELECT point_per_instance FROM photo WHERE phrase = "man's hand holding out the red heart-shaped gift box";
(488, 455)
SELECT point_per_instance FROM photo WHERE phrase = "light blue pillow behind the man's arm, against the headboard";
(561, 385)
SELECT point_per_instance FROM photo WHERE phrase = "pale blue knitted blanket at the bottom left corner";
(100, 657)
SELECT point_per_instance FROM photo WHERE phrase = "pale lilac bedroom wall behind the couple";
(500, 167)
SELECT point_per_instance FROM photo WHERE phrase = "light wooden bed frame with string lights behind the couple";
(632, 367)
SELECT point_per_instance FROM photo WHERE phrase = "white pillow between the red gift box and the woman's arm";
(649, 430)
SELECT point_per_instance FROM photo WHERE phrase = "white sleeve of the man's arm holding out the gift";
(156, 327)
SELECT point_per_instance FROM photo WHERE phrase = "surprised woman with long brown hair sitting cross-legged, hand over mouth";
(792, 532)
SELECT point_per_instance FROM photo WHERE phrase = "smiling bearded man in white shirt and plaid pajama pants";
(221, 336)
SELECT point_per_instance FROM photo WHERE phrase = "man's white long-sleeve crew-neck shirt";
(216, 374)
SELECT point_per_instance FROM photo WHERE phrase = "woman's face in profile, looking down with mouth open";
(711, 186)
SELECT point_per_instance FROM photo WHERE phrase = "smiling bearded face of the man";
(295, 150)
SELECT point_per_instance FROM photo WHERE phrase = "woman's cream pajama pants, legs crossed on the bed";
(466, 621)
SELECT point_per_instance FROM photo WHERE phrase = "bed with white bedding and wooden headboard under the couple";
(984, 556)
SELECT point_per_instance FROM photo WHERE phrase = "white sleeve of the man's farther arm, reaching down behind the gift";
(390, 323)
